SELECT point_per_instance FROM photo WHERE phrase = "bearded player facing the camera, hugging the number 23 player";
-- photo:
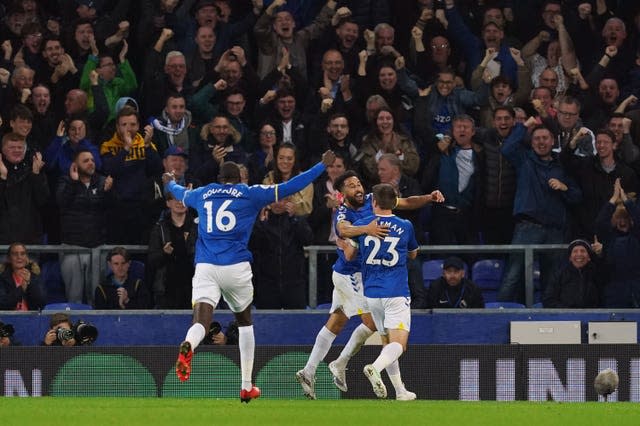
(348, 297)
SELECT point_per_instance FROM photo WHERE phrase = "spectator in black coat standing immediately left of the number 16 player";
(171, 256)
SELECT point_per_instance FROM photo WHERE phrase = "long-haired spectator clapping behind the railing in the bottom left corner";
(20, 286)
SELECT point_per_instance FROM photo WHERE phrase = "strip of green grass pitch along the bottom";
(188, 412)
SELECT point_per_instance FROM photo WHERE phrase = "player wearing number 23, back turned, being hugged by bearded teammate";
(386, 281)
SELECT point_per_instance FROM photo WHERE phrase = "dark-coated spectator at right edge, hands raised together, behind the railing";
(617, 225)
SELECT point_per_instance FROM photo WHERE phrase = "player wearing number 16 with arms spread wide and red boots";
(227, 212)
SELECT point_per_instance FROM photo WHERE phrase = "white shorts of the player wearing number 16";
(233, 282)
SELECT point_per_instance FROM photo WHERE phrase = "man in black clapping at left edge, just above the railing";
(23, 191)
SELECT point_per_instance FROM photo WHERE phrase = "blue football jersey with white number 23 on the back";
(384, 261)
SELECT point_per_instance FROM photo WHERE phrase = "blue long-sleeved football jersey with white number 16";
(227, 213)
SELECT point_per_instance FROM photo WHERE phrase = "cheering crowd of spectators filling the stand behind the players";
(522, 113)
